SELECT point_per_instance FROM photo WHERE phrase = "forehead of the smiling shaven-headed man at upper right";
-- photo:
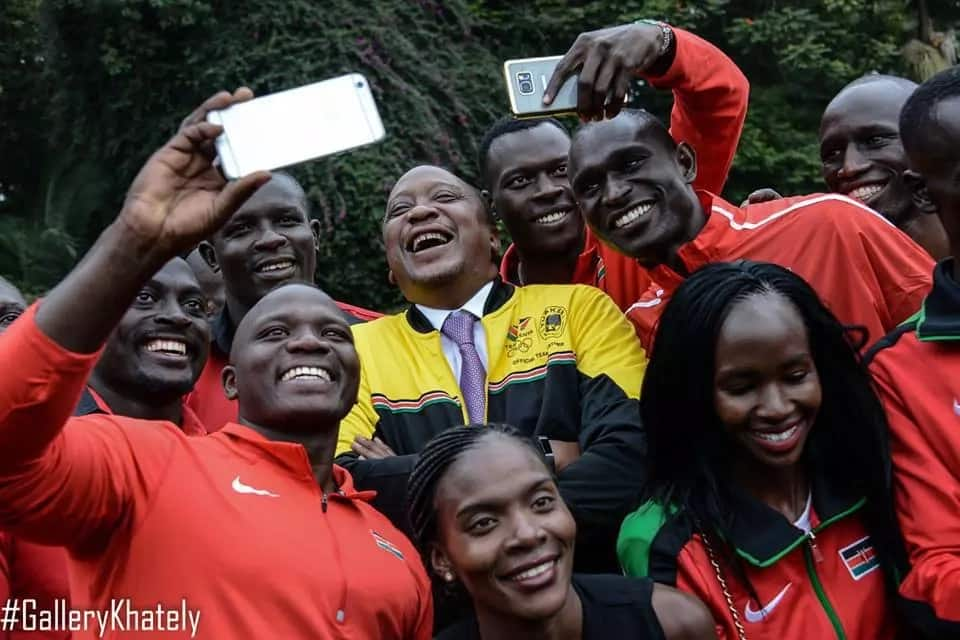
(864, 105)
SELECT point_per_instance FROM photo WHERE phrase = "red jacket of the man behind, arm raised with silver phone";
(710, 97)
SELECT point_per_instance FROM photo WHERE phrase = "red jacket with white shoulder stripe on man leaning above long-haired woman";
(868, 272)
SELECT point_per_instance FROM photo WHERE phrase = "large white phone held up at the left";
(297, 125)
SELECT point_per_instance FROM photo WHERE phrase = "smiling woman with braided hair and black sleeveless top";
(487, 514)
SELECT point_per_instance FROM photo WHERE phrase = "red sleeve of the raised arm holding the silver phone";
(710, 96)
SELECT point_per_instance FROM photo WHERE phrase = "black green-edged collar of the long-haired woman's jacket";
(762, 535)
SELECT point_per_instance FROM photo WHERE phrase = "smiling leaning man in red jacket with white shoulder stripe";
(635, 188)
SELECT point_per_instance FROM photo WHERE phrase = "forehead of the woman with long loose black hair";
(760, 325)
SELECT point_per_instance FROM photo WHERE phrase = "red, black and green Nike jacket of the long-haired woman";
(820, 586)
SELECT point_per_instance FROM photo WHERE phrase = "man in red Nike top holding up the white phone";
(295, 550)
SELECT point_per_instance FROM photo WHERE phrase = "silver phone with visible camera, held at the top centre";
(527, 81)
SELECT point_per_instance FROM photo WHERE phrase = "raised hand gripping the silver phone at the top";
(607, 60)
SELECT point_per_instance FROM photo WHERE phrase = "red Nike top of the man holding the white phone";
(232, 522)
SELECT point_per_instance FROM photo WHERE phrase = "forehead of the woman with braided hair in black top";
(497, 469)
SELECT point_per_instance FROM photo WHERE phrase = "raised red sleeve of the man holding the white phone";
(68, 481)
